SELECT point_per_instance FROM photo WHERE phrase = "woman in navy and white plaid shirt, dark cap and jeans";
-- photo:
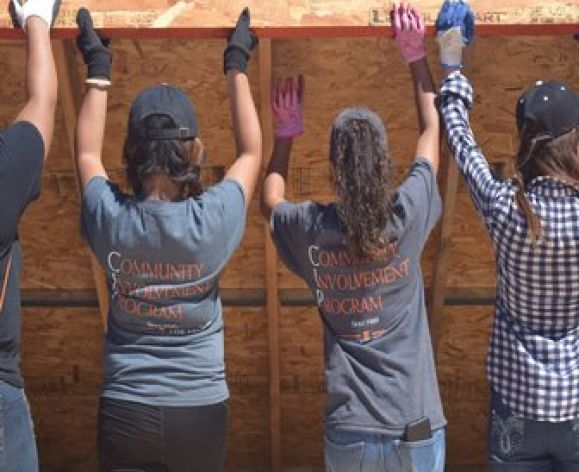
(533, 222)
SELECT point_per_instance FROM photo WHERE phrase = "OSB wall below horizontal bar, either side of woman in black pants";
(62, 351)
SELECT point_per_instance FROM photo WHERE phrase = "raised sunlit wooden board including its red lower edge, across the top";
(298, 18)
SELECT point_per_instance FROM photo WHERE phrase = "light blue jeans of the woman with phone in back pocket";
(362, 452)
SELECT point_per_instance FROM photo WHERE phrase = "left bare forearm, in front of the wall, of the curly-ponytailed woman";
(274, 184)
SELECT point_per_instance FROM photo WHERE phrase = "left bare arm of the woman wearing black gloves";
(90, 132)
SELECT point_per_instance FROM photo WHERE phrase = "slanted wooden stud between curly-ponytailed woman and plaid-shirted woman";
(443, 246)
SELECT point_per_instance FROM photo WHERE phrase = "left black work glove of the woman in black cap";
(94, 50)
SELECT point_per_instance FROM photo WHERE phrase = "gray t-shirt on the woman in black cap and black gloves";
(162, 261)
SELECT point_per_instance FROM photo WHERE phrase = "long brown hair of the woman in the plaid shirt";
(540, 155)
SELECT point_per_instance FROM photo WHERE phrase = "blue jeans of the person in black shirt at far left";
(17, 444)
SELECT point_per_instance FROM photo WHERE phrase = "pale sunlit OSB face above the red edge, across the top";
(295, 13)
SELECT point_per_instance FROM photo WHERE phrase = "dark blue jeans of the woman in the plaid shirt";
(517, 444)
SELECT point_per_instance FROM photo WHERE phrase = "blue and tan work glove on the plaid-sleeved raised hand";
(454, 30)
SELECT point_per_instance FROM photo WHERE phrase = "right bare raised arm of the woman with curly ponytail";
(428, 145)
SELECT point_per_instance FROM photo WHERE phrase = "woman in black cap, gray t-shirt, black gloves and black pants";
(164, 397)
